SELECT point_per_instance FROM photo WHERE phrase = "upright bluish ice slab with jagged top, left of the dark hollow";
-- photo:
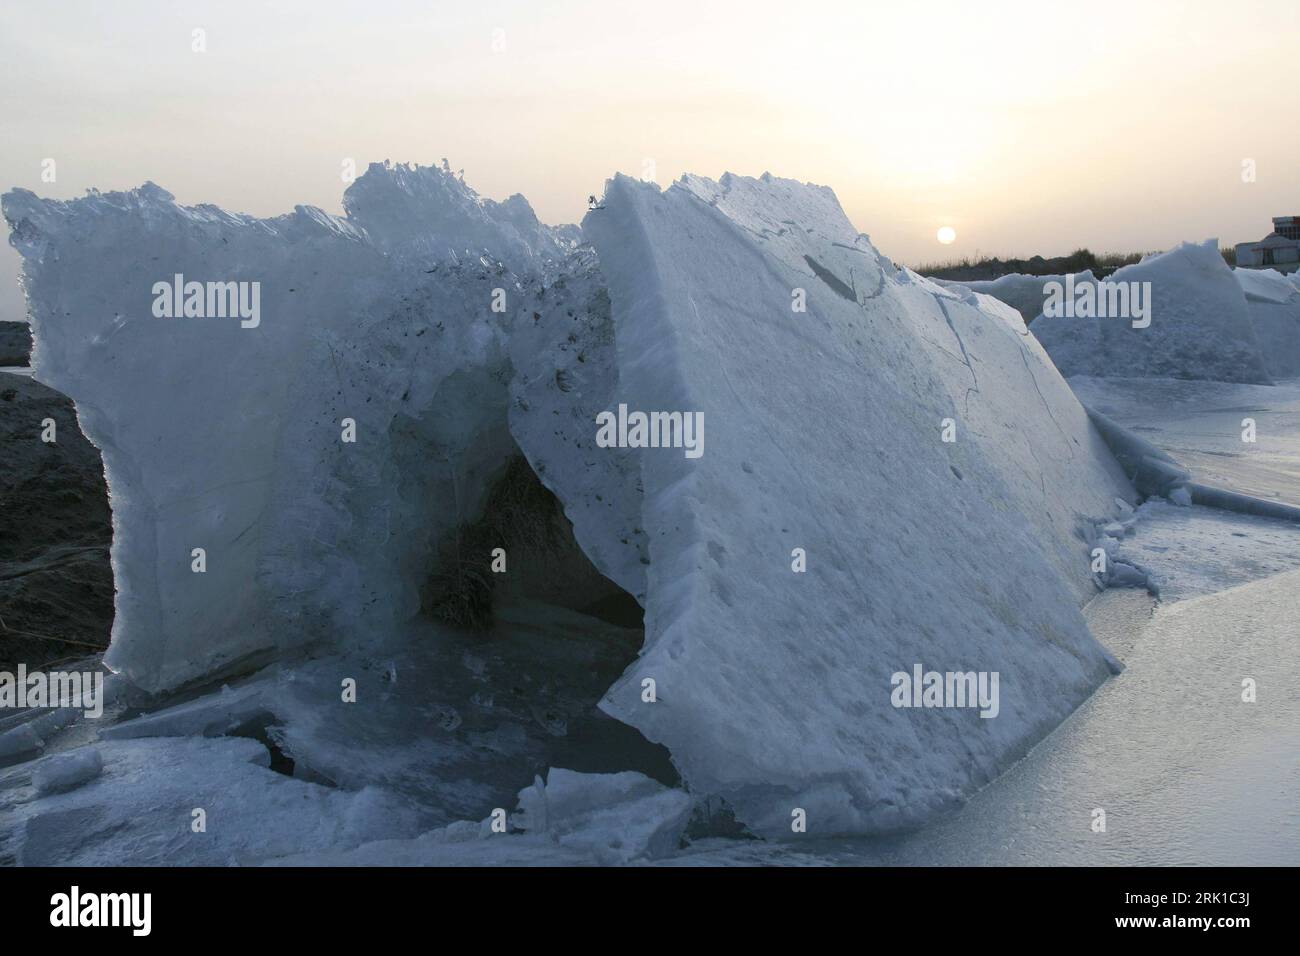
(228, 434)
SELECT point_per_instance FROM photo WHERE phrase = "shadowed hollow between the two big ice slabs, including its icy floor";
(492, 680)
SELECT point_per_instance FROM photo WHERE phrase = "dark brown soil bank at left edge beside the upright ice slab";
(57, 586)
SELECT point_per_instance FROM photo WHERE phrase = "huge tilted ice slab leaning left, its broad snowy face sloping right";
(825, 434)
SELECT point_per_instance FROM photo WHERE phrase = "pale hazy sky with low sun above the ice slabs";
(1025, 127)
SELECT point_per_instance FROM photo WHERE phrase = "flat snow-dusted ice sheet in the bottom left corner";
(141, 810)
